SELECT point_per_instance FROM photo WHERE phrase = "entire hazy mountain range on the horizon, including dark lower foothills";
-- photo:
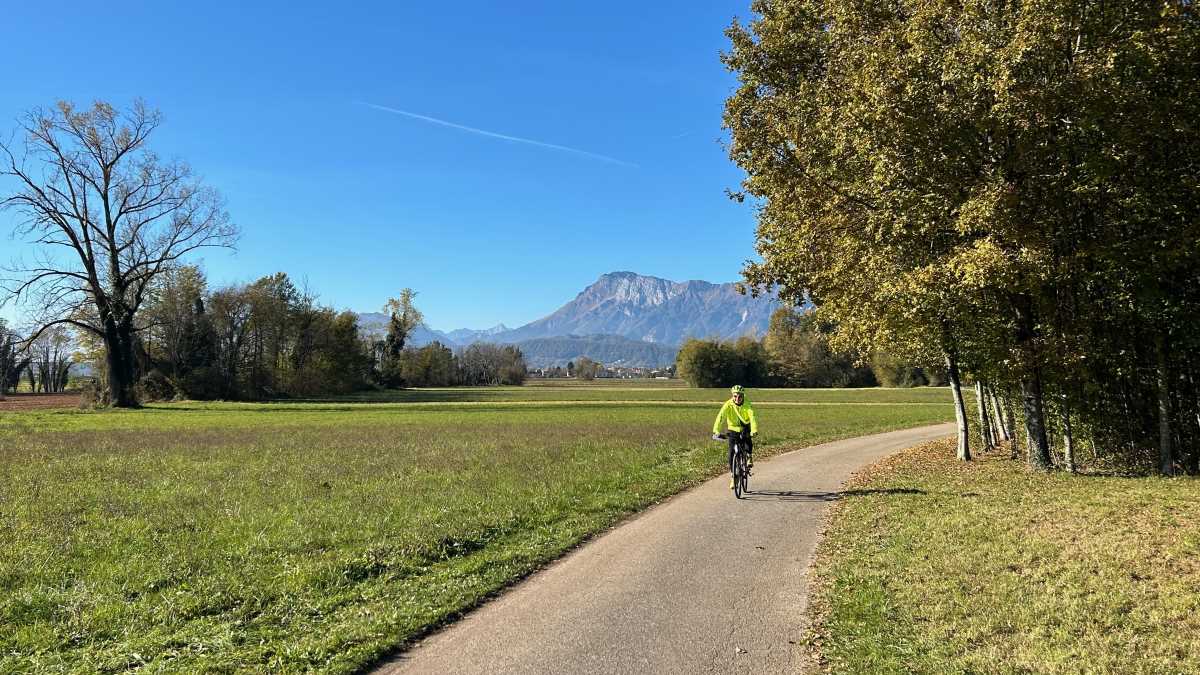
(640, 310)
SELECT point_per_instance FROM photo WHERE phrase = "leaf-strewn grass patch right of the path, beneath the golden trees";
(947, 568)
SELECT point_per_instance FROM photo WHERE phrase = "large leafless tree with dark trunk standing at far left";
(106, 217)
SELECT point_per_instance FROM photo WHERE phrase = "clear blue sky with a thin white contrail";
(267, 104)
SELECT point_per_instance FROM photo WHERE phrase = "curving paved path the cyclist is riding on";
(700, 584)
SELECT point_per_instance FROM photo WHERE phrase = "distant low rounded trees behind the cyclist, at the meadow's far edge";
(796, 353)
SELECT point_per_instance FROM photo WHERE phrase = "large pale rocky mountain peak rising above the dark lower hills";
(653, 310)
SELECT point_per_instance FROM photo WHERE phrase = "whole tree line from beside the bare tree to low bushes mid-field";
(272, 339)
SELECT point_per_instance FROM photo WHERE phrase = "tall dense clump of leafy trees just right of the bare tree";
(265, 339)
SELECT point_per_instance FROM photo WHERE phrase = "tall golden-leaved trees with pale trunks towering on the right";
(1006, 189)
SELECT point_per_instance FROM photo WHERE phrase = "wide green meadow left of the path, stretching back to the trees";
(319, 536)
